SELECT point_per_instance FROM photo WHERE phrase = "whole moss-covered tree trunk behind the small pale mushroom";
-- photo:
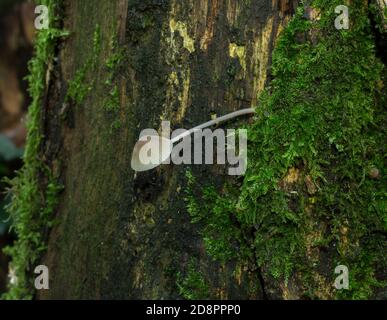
(312, 198)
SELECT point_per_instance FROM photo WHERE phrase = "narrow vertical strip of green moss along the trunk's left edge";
(34, 191)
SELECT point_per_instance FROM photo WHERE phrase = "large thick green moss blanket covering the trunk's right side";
(315, 184)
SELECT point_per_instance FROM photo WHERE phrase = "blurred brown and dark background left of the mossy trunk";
(16, 40)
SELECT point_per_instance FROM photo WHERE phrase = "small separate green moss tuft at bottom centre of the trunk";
(193, 285)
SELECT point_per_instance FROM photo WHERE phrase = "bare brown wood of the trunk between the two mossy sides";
(125, 235)
